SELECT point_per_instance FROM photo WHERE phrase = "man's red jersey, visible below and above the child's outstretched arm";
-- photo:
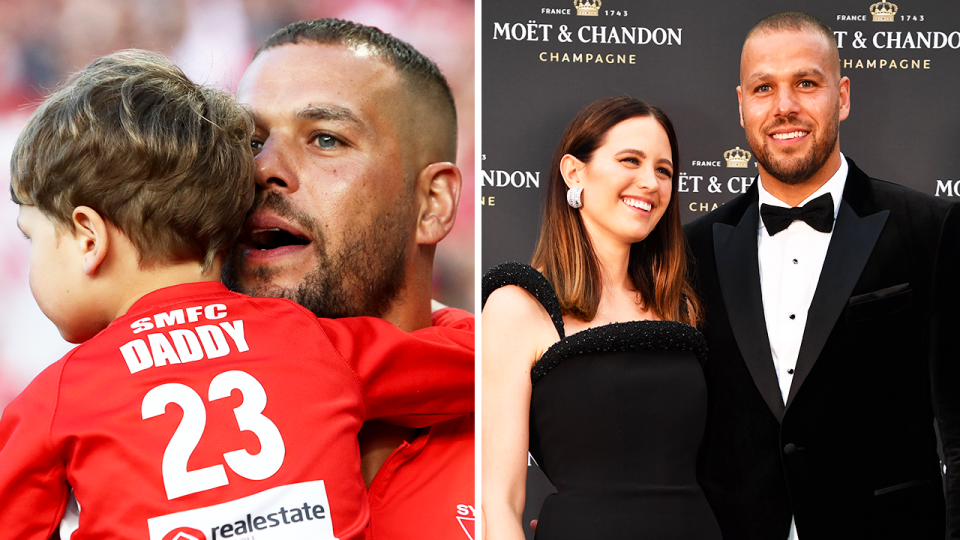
(425, 489)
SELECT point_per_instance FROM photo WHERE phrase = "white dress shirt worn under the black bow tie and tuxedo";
(790, 264)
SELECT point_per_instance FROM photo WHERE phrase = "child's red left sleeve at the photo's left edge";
(33, 484)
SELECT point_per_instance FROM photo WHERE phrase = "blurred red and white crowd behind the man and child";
(43, 41)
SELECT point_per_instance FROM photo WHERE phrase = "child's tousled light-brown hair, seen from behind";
(167, 161)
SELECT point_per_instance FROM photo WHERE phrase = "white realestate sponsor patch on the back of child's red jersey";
(293, 512)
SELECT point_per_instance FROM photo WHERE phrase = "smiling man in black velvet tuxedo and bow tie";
(833, 330)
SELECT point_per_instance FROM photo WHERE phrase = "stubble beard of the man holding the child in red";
(364, 277)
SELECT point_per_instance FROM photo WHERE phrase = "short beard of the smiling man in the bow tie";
(789, 169)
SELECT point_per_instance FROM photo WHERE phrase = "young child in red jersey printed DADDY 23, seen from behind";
(188, 411)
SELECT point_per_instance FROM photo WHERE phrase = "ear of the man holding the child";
(438, 191)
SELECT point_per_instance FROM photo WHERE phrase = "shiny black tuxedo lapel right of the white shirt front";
(850, 247)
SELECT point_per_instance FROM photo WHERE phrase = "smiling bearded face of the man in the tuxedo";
(792, 100)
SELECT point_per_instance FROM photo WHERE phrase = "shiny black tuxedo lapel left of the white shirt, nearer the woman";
(735, 249)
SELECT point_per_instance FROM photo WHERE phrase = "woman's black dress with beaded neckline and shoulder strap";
(616, 419)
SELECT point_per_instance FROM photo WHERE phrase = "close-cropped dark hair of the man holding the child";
(418, 70)
